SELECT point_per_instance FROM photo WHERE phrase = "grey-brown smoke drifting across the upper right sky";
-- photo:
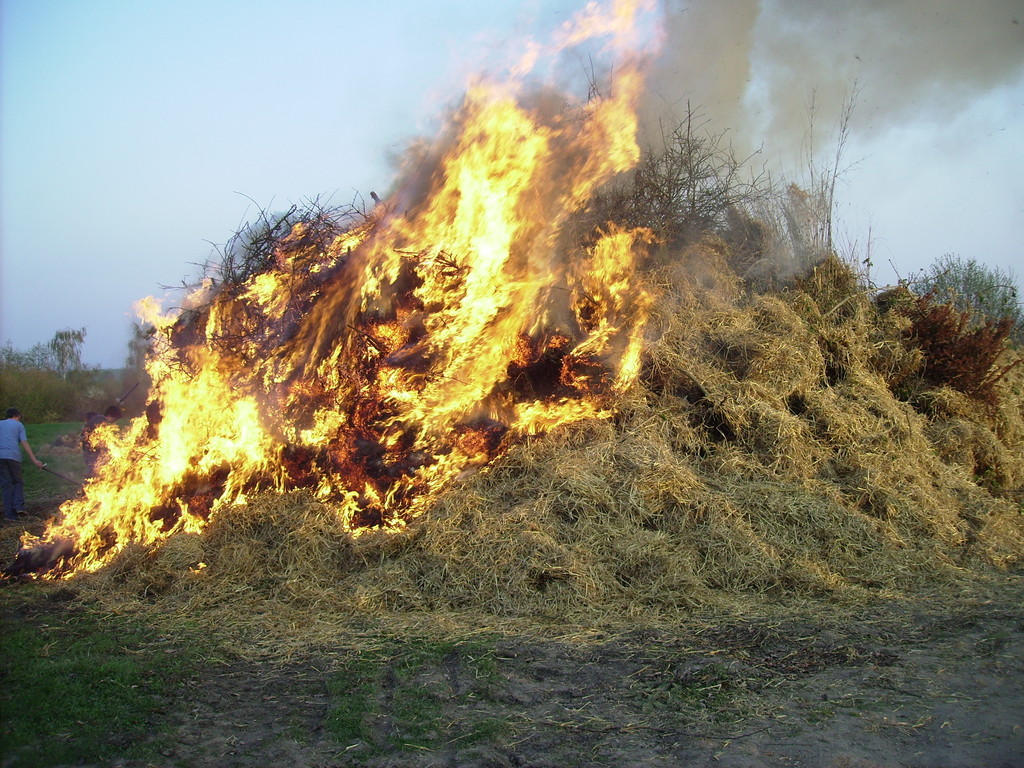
(752, 67)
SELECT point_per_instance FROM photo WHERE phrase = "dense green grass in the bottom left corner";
(80, 688)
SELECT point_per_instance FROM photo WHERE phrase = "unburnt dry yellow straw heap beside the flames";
(762, 454)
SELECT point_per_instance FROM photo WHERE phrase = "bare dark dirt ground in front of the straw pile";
(894, 687)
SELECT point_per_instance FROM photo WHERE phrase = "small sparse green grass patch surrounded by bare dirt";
(391, 699)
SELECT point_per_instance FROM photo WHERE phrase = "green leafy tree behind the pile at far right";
(986, 293)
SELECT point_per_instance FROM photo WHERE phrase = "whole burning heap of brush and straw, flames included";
(460, 404)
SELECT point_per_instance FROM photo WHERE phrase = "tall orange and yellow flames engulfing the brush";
(375, 369)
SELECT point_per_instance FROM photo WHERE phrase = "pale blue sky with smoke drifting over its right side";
(135, 137)
